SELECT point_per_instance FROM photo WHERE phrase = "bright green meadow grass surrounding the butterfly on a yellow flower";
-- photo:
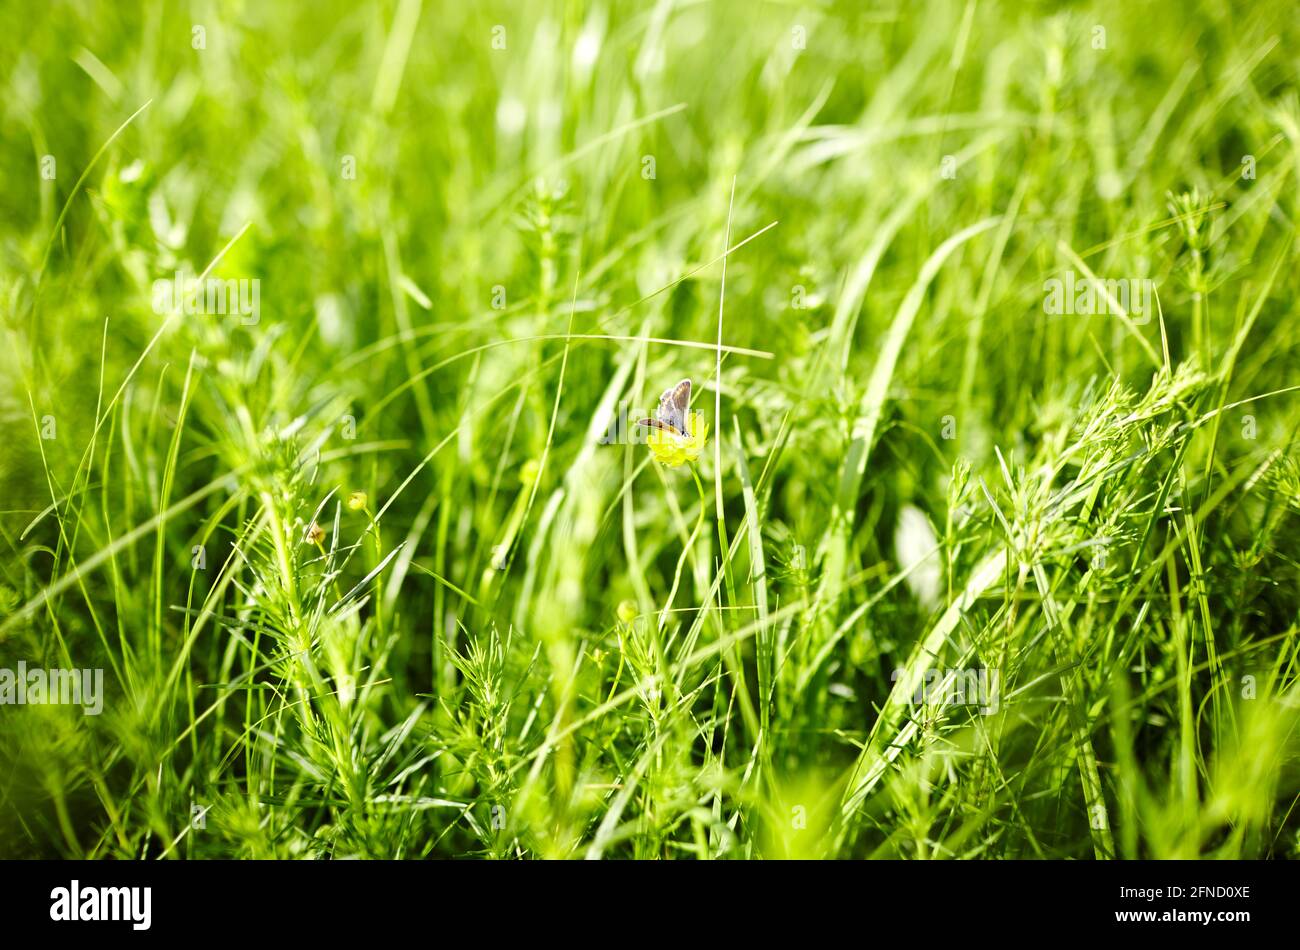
(527, 644)
